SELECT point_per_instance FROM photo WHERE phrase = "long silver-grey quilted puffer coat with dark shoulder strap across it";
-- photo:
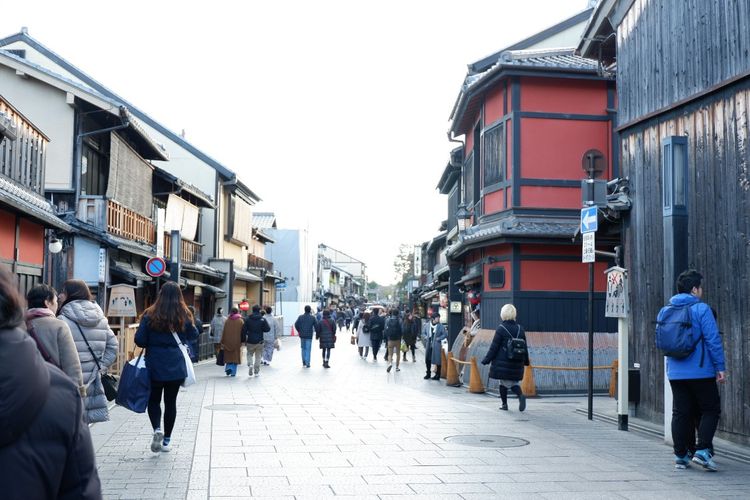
(87, 317)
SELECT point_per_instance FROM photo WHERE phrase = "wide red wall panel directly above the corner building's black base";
(565, 276)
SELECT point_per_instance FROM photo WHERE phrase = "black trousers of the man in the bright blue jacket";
(690, 398)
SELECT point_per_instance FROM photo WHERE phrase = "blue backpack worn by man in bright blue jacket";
(675, 336)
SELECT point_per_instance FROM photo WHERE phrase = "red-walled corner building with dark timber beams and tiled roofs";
(527, 115)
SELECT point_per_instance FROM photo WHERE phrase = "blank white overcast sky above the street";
(334, 112)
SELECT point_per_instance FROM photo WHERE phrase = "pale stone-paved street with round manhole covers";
(356, 431)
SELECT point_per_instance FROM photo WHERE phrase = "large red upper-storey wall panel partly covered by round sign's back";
(552, 149)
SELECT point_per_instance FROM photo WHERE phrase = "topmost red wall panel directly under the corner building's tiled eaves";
(563, 96)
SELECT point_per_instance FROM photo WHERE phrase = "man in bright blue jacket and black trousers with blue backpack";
(687, 334)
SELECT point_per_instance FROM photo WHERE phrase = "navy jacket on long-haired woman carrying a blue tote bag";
(163, 356)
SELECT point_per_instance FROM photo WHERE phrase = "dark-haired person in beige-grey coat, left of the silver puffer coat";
(52, 336)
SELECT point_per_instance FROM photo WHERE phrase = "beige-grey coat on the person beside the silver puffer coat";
(57, 341)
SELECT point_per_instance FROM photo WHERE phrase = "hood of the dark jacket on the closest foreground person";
(24, 382)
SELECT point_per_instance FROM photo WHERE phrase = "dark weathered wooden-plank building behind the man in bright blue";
(683, 88)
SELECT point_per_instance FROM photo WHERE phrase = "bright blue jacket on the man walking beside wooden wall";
(710, 347)
